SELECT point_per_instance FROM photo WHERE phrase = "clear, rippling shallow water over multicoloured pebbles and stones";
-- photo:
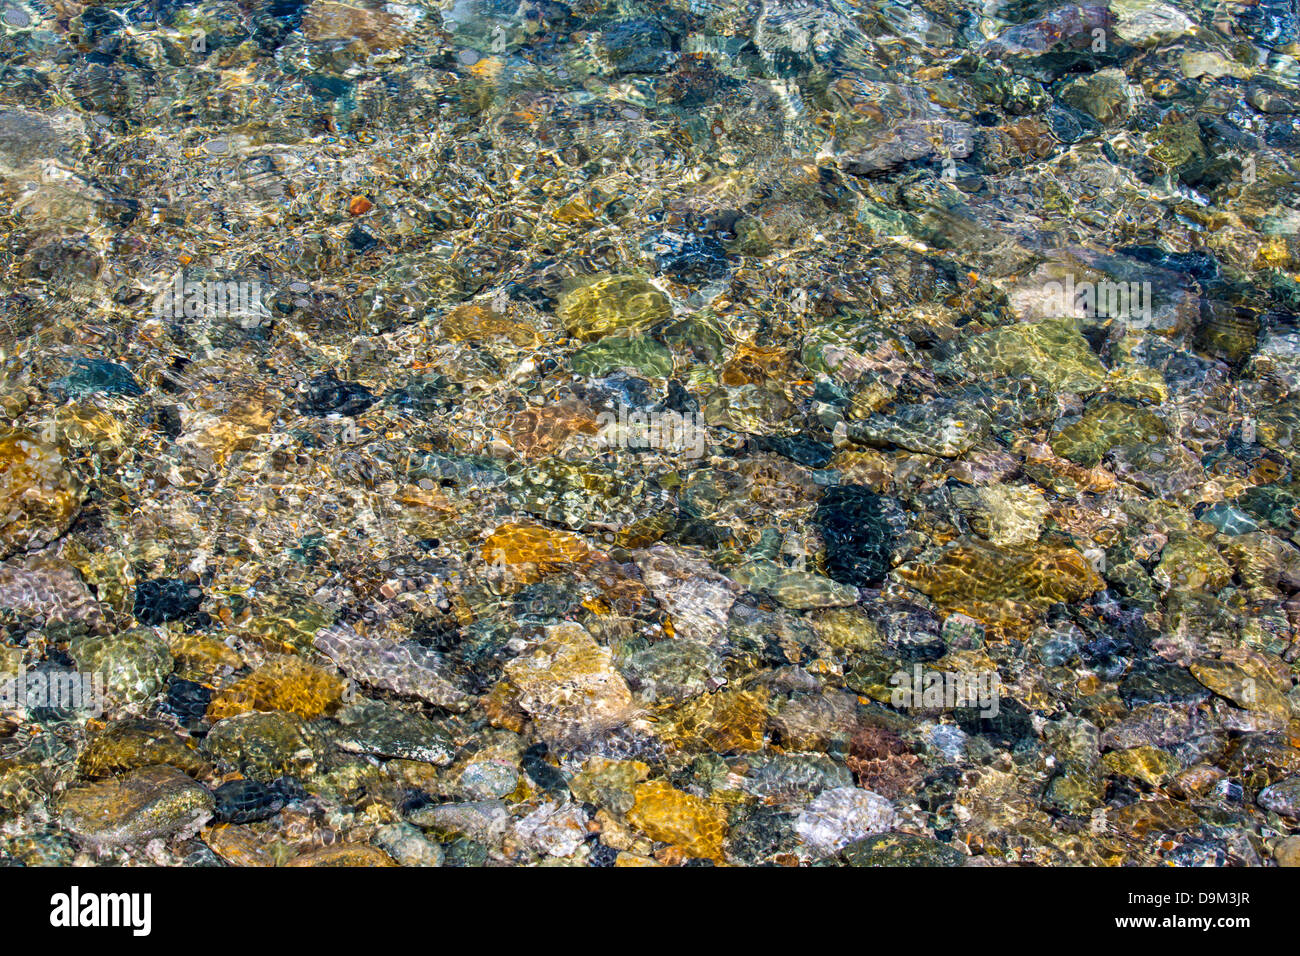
(612, 434)
